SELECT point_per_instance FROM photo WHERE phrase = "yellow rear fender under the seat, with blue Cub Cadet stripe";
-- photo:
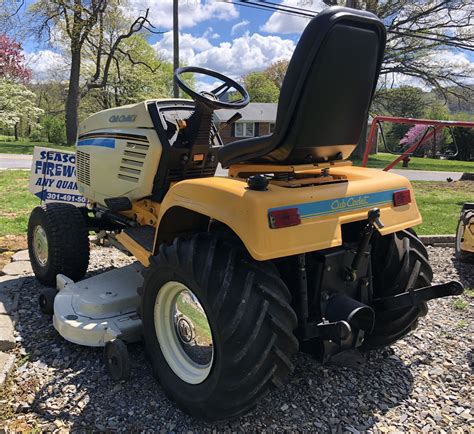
(323, 210)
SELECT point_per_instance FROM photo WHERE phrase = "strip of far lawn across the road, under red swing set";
(381, 160)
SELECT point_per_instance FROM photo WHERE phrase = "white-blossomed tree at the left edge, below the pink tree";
(17, 104)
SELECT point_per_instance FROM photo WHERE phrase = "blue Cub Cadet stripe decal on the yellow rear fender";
(343, 204)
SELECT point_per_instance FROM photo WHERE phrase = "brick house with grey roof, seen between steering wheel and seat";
(258, 119)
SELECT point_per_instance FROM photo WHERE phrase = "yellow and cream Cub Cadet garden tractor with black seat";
(293, 248)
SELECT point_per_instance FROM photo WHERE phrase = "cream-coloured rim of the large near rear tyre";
(183, 332)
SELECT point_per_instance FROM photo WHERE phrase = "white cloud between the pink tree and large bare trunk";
(47, 65)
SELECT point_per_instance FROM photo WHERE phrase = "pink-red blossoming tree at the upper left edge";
(12, 61)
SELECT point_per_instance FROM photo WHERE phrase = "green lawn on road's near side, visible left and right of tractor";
(439, 203)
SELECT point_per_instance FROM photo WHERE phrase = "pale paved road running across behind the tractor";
(14, 161)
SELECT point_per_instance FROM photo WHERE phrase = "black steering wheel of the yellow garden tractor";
(213, 99)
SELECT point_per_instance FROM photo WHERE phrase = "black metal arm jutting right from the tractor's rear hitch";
(415, 297)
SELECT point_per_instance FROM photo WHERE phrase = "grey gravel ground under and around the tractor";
(423, 383)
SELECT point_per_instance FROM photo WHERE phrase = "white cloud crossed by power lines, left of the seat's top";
(285, 23)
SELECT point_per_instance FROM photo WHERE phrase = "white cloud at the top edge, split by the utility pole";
(191, 12)
